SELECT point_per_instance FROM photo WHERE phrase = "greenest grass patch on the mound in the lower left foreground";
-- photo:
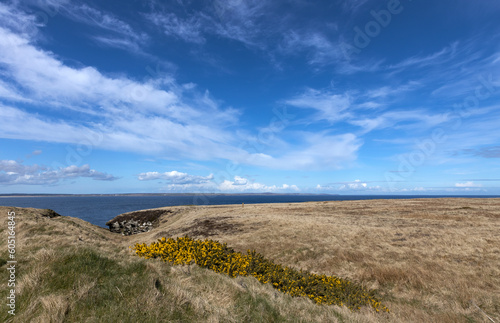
(116, 292)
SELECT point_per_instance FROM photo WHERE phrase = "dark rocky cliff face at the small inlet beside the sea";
(135, 222)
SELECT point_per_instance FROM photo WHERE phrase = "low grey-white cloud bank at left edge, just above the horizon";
(13, 172)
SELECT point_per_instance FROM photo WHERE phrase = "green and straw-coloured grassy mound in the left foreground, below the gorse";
(81, 284)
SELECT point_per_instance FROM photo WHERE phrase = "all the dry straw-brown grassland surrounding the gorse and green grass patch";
(431, 260)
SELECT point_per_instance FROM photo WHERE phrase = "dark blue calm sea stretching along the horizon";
(100, 209)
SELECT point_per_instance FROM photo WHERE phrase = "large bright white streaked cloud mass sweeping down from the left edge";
(128, 114)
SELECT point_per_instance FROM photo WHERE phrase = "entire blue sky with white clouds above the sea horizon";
(338, 97)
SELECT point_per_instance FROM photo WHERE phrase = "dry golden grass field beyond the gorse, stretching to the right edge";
(430, 257)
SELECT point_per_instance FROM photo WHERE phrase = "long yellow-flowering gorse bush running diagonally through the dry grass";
(220, 258)
